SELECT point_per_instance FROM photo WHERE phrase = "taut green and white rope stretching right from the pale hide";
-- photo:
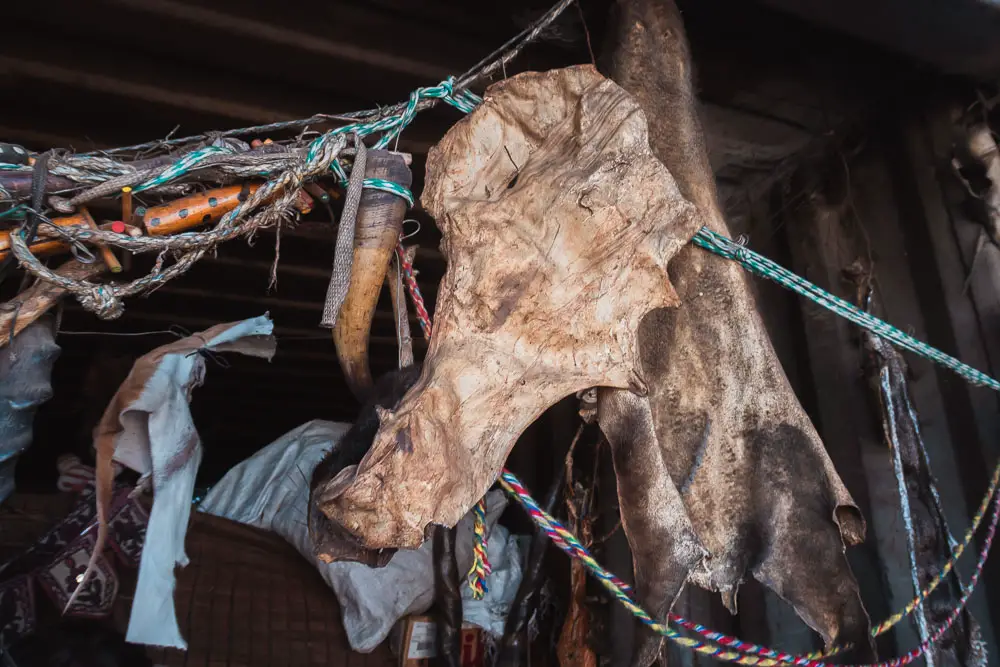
(762, 266)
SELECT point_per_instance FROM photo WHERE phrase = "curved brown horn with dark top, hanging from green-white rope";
(379, 223)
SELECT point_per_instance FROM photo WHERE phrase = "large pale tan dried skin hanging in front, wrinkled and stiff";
(558, 223)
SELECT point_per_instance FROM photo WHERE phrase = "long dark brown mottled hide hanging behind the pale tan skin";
(760, 490)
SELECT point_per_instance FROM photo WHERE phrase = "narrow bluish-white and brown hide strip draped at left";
(148, 427)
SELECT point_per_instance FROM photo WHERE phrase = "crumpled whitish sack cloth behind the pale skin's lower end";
(270, 490)
